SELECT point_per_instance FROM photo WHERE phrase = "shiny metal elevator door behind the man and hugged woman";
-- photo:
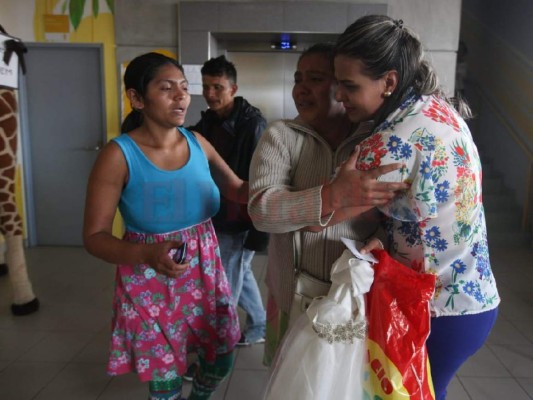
(266, 80)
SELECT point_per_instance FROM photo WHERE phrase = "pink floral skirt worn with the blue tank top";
(158, 320)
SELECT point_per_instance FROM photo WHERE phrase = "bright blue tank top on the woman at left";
(159, 201)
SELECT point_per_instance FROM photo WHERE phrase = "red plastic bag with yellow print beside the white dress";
(399, 324)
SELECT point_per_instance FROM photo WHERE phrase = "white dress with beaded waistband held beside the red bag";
(323, 354)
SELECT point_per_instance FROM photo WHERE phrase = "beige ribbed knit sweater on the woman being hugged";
(285, 196)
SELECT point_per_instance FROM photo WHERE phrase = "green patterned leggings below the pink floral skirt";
(207, 379)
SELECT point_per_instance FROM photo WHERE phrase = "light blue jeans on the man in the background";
(237, 262)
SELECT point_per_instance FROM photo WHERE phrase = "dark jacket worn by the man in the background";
(244, 126)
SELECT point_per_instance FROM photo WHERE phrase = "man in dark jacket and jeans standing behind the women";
(233, 126)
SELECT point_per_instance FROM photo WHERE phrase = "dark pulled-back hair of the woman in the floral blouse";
(384, 44)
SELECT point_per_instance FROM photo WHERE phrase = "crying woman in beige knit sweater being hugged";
(317, 191)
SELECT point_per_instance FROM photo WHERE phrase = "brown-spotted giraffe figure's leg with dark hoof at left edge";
(24, 300)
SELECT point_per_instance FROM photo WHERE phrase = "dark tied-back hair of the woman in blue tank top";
(139, 73)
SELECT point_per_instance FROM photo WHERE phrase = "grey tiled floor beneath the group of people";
(60, 352)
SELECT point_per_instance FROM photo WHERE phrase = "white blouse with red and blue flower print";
(438, 225)
